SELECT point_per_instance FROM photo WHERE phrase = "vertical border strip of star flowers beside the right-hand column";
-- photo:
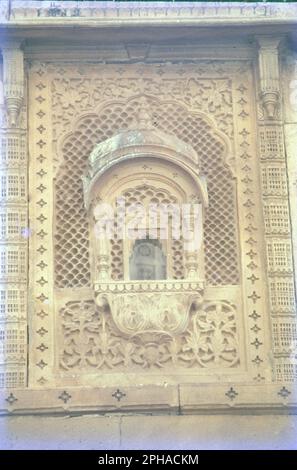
(254, 295)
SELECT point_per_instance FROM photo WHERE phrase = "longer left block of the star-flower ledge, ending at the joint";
(102, 400)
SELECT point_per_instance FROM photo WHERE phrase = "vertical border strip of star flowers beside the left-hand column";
(41, 354)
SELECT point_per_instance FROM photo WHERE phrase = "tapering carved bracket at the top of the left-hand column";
(13, 80)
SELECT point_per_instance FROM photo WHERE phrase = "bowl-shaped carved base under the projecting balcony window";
(150, 309)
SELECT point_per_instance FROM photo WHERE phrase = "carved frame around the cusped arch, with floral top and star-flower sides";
(59, 95)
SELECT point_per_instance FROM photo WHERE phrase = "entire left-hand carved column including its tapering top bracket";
(14, 230)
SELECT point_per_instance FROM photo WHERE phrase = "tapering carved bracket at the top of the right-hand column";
(269, 75)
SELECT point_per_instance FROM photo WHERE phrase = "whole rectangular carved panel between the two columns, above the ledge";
(65, 287)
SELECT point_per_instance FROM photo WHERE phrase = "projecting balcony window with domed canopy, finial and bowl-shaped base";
(145, 168)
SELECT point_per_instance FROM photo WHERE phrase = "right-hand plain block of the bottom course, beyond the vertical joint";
(210, 432)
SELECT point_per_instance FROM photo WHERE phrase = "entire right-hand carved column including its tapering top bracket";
(277, 217)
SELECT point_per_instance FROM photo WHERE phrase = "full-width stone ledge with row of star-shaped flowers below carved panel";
(184, 399)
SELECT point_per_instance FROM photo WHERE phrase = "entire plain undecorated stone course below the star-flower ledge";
(149, 432)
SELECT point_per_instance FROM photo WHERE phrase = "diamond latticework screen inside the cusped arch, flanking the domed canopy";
(72, 267)
